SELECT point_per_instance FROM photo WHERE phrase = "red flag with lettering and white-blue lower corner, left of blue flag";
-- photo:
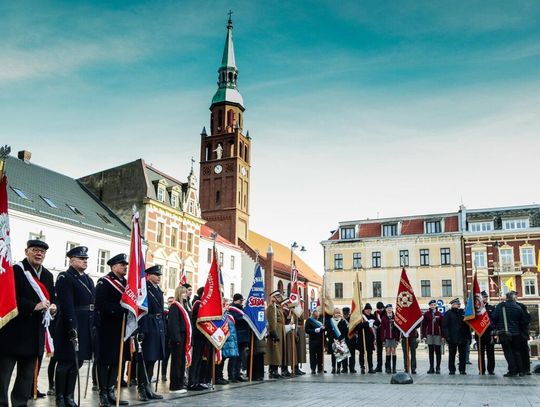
(210, 319)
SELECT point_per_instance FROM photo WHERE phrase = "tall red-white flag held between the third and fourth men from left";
(134, 298)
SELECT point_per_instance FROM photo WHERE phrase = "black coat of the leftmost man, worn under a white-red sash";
(24, 335)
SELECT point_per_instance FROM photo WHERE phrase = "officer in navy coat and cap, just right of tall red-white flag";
(152, 334)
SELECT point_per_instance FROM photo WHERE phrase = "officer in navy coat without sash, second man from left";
(75, 294)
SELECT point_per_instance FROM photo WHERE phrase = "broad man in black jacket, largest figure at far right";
(515, 318)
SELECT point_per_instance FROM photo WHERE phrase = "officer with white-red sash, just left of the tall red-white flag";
(109, 315)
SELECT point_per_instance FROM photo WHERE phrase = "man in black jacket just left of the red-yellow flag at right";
(456, 332)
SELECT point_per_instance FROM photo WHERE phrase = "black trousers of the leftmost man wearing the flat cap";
(23, 381)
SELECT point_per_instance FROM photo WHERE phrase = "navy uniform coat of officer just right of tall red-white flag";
(152, 325)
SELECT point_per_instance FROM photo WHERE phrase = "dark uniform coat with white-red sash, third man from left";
(108, 319)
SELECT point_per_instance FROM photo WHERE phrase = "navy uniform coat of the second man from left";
(75, 294)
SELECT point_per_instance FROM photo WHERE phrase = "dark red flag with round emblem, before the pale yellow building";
(408, 313)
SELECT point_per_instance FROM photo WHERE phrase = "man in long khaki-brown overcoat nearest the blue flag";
(276, 335)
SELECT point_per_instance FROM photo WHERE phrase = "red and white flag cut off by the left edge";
(8, 300)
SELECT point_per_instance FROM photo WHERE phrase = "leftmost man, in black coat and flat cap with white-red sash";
(23, 338)
